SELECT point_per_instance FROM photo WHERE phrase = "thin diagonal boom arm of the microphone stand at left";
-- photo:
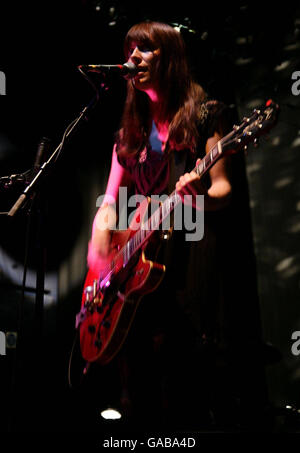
(30, 188)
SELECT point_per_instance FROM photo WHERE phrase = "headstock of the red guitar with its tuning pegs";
(258, 124)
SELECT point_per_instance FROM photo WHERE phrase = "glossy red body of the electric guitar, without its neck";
(108, 313)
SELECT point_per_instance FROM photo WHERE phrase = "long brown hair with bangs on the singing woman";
(182, 96)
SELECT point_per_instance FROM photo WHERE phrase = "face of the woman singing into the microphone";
(146, 60)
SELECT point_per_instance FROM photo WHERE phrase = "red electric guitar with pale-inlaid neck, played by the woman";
(110, 299)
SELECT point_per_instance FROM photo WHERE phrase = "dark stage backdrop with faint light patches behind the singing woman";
(243, 55)
